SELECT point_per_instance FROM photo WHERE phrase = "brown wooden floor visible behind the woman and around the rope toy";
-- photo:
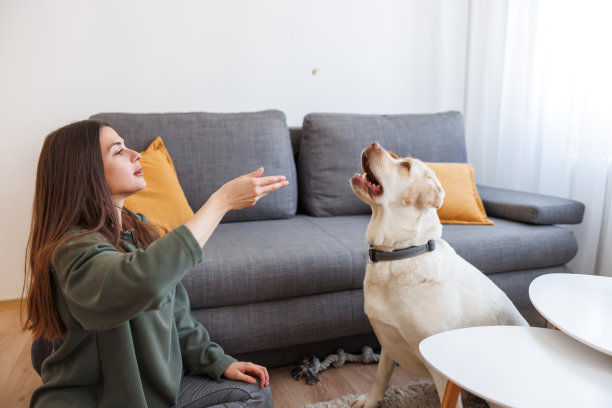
(18, 379)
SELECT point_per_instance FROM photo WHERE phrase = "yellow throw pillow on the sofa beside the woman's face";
(163, 201)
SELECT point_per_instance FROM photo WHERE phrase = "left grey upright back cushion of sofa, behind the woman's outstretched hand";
(210, 149)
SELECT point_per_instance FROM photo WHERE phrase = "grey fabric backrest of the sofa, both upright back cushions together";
(209, 149)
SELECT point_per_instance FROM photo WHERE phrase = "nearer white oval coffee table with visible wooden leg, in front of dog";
(520, 367)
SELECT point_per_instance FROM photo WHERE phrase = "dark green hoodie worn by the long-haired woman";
(130, 333)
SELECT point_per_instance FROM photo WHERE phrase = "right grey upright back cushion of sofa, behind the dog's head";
(331, 145)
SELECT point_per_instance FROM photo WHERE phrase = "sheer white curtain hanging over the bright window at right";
(538, 108)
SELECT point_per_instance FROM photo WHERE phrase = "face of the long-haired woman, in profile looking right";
(122, 169)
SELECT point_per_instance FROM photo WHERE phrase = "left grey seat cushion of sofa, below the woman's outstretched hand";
(246, 262)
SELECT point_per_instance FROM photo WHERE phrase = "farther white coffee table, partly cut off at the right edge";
(579, 305)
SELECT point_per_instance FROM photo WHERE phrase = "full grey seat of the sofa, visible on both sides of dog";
(268, 260)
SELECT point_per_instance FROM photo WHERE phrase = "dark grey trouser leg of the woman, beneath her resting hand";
(197, 391)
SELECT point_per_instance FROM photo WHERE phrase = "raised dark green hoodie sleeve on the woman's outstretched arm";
(103, 287)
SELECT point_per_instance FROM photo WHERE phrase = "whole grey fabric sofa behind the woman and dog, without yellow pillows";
(283, 279)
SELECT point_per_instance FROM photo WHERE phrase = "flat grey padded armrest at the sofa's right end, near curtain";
(529, 207)
